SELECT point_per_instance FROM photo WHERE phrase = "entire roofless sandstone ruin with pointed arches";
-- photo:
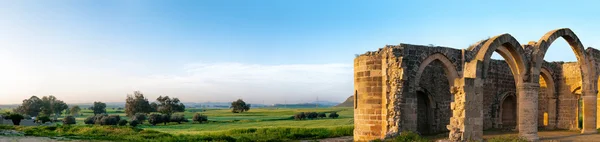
(431, 90)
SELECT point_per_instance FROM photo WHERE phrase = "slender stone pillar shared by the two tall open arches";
(527, 94)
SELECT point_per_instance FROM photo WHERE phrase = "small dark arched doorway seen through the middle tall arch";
(509, 112)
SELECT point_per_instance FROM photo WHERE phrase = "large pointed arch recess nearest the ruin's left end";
(434, 79)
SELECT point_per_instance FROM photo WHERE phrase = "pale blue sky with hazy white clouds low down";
(262, 50)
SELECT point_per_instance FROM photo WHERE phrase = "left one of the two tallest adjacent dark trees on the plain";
(136, 103)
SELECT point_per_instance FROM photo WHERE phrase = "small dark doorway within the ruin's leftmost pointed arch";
(424, 113)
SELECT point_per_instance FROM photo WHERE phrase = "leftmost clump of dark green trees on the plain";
(46, 106)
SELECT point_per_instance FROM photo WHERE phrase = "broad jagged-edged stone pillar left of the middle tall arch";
(466, 123)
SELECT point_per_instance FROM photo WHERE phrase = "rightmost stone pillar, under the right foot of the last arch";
(589, 112)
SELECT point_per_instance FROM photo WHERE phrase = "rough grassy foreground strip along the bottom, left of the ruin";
(114, 133)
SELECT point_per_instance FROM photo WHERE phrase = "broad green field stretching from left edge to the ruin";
(256, 124)
